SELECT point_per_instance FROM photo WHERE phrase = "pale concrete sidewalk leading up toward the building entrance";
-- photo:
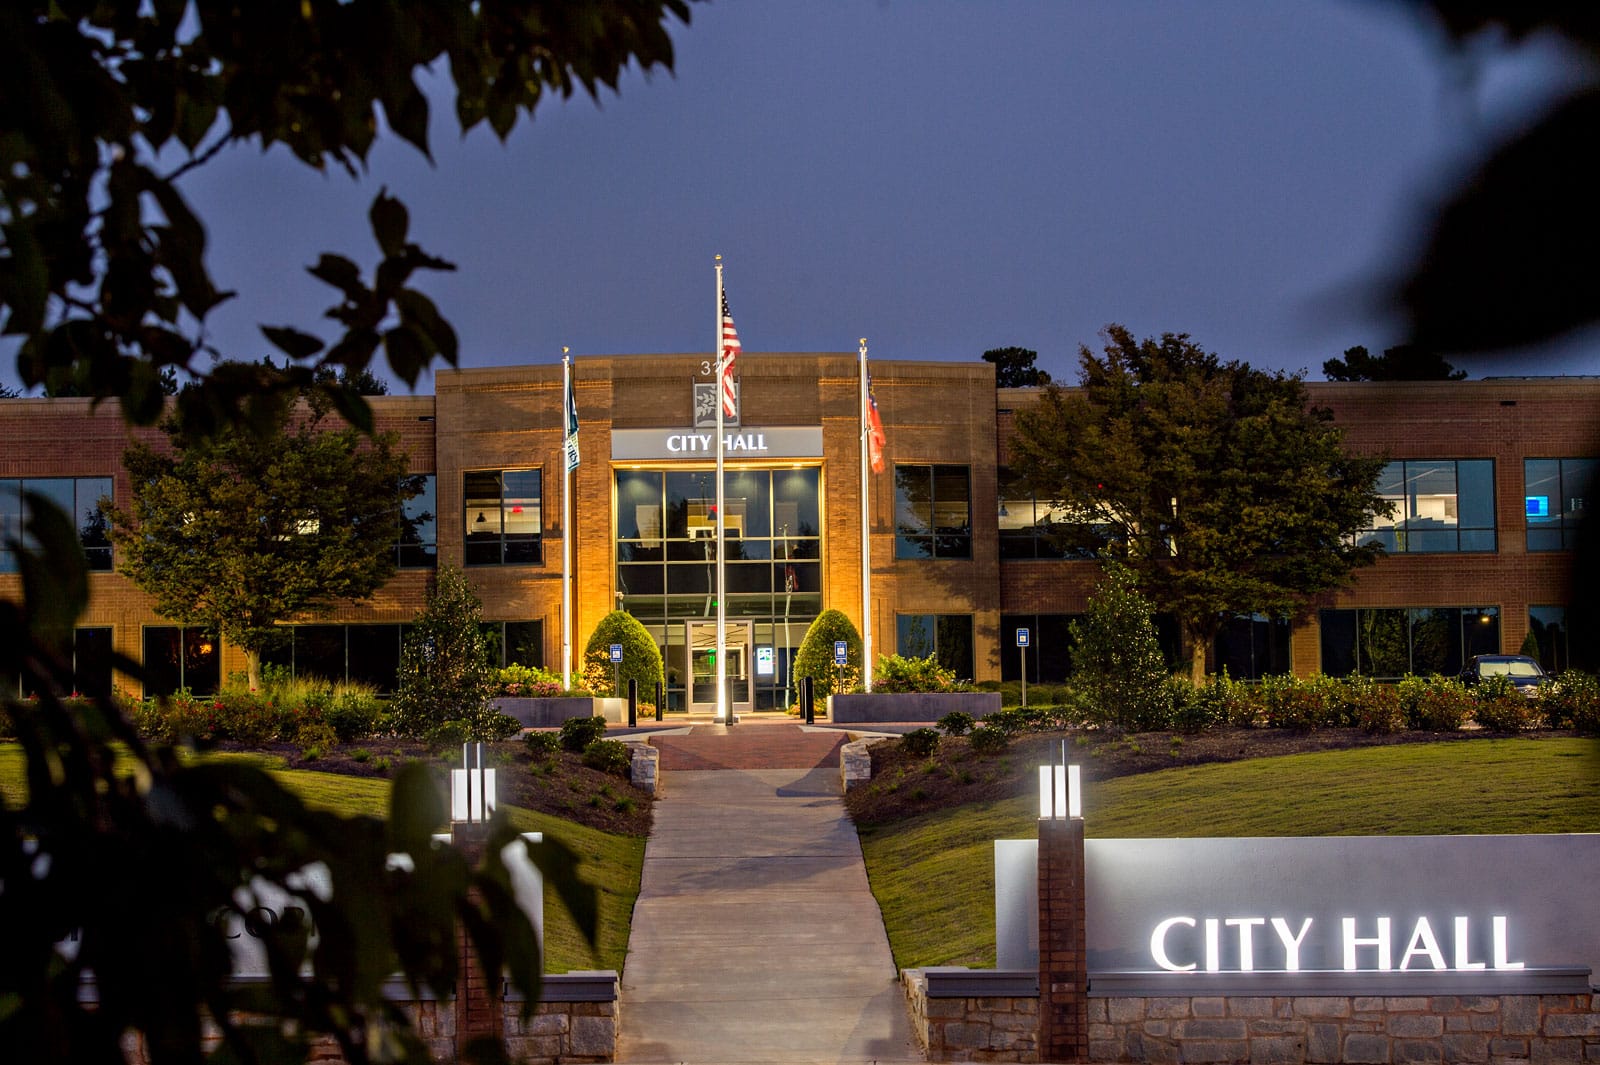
(756, 938)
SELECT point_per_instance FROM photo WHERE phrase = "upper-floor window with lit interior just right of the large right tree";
(1439, 506)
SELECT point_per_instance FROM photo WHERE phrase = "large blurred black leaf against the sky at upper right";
(1511, 260)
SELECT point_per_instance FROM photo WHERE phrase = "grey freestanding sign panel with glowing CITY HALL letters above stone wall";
(1457, 907)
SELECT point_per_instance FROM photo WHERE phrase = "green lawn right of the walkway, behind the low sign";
(934, 874)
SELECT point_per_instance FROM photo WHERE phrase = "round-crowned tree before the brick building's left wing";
(238, 533)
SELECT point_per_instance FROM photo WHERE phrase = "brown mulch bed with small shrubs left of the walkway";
(561, 786)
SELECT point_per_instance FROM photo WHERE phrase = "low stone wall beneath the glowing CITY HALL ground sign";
(1273, 1031)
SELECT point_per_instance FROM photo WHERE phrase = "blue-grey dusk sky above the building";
(942, 178)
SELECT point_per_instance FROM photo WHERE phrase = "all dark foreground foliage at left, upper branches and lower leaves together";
(105, 281)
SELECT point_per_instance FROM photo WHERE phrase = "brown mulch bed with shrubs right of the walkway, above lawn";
(961, 776)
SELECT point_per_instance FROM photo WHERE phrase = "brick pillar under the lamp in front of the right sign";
(1063, 967)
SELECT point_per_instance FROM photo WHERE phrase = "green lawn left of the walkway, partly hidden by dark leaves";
(612, 863)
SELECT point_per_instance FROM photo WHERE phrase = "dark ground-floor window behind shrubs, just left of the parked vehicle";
(1422, 640)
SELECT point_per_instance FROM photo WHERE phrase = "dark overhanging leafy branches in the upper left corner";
(108, 284)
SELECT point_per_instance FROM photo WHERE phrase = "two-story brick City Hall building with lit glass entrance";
(1487, 481)
